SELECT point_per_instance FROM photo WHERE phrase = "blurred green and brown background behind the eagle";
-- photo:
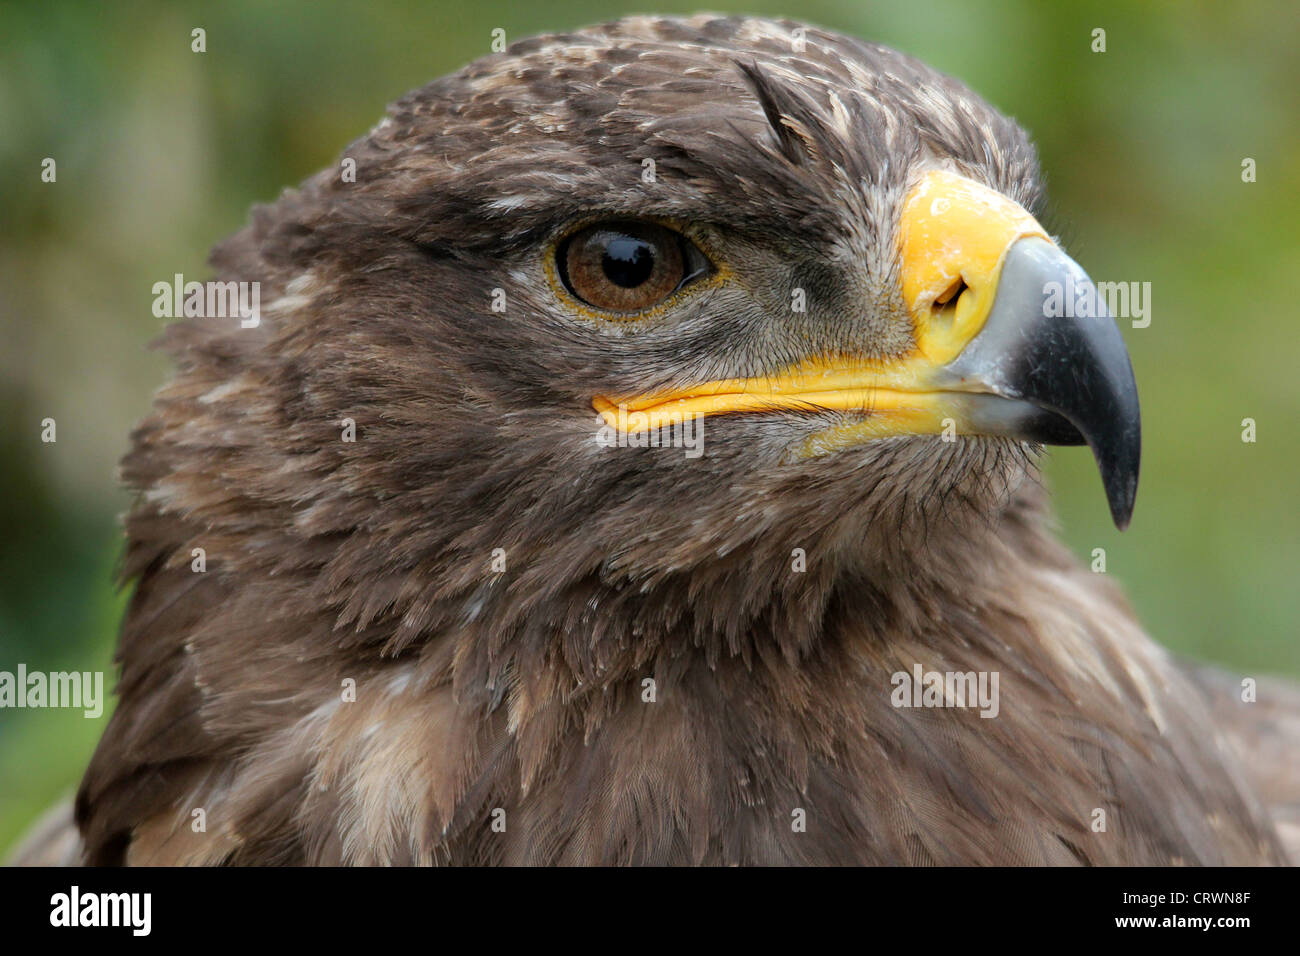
(161, 153)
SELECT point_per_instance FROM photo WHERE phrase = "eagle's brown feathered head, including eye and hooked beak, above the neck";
(644, 310)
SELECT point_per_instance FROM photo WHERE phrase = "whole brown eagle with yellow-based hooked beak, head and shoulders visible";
(655, 405)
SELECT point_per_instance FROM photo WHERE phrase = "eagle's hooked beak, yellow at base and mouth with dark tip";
(995, 353)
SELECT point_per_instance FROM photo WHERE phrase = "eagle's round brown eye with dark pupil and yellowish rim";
(627, 267)
